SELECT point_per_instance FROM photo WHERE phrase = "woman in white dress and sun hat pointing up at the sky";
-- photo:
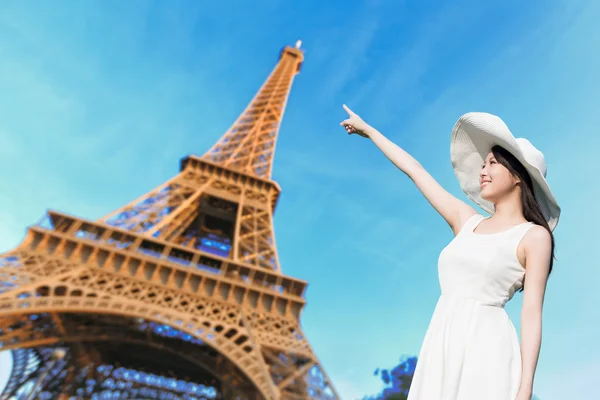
(471, 349)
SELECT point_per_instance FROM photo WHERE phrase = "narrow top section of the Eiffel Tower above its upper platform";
(248, 146)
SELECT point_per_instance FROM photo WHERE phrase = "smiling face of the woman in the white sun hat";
(495, 180)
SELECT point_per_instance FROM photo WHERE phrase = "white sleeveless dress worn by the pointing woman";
(471, 349)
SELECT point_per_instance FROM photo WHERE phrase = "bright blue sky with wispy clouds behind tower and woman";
(99, 100)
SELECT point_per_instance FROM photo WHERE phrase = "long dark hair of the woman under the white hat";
(531, 209)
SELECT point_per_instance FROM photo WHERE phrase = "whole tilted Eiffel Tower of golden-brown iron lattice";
(177, 295)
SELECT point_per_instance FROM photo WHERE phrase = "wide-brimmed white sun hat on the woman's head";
(473, 137)
